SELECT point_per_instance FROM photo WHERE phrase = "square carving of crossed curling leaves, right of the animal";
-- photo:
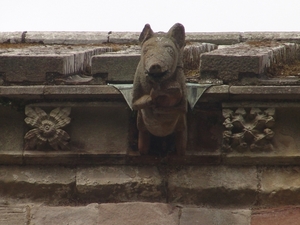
(248, 129)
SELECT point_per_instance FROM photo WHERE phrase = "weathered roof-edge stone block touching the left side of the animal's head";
(119, 67)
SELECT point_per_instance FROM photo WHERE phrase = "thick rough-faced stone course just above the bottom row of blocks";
(222, 186)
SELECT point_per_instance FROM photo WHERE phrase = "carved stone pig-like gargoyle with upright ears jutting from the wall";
(159, 89)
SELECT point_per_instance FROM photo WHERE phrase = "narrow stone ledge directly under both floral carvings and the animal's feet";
(73, 159)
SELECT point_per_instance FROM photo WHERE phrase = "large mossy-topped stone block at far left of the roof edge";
(31, 63)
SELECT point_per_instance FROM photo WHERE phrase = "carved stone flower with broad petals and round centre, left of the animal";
(47, 128)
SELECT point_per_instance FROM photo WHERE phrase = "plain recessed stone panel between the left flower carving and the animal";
(100, 128)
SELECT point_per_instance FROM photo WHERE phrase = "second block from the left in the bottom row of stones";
(65, 215)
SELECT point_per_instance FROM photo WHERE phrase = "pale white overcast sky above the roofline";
(132, 15)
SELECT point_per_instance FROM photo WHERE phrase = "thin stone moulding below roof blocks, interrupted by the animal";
(220, 92)
